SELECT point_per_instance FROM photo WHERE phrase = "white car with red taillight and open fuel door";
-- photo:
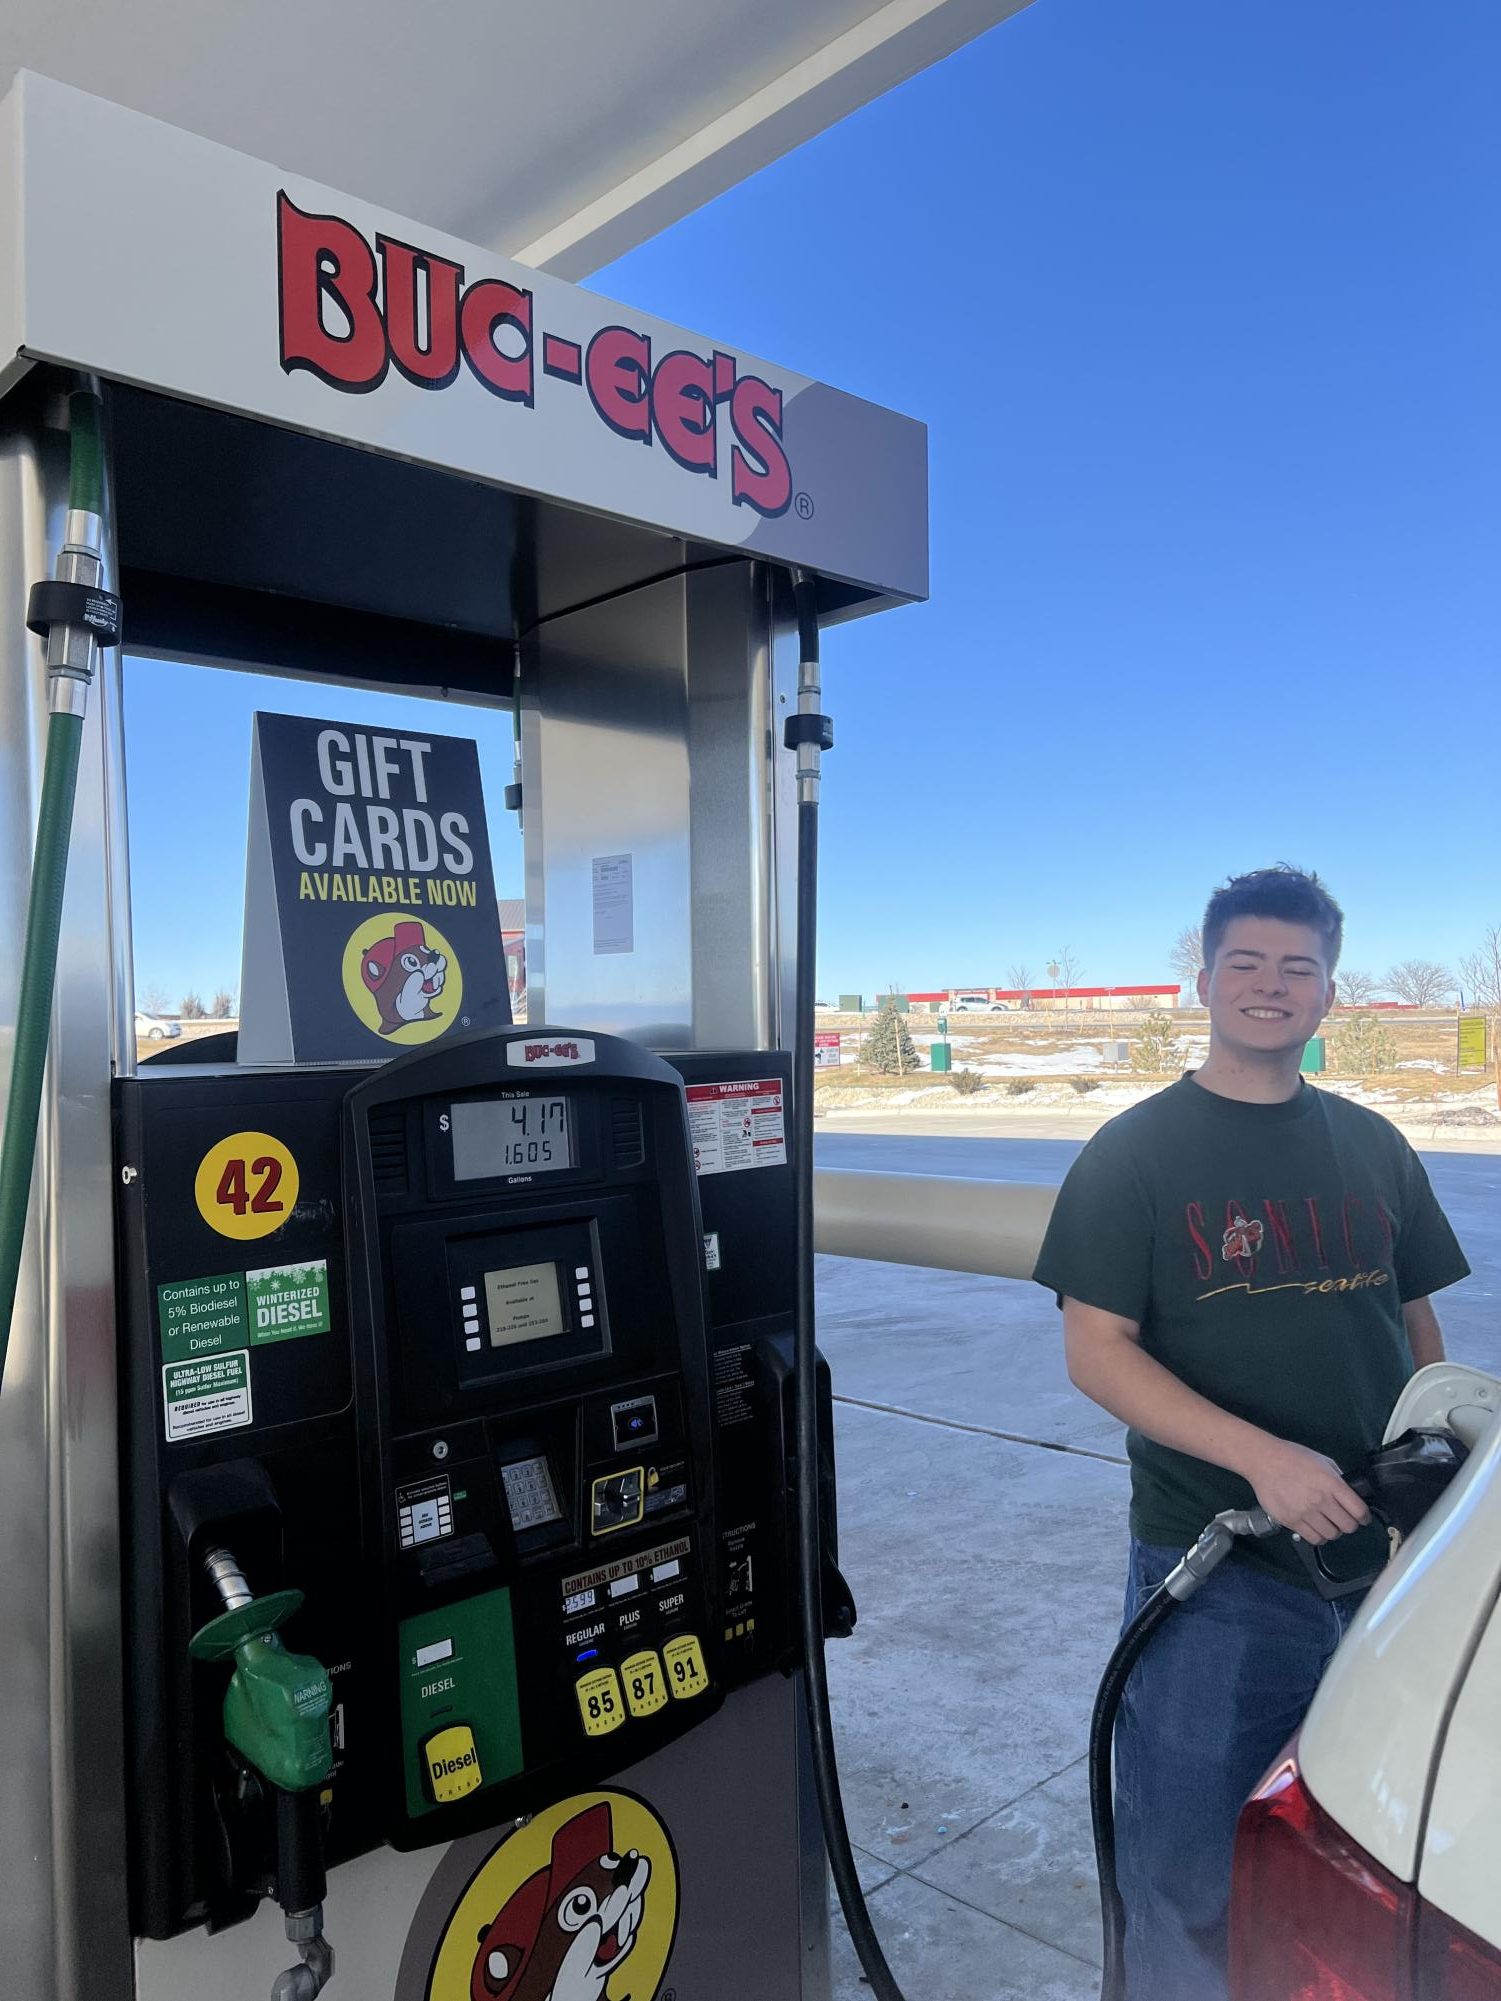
(1368, 1864)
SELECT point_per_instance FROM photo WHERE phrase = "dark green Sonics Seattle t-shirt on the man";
(1266, 1254)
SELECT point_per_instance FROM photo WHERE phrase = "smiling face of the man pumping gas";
(1268, 989)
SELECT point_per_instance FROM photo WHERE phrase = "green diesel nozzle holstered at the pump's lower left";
(277, 1718)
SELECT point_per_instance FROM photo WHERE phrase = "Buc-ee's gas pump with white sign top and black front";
(427, 1428)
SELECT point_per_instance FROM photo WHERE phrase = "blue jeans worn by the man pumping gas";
(1220, 1690)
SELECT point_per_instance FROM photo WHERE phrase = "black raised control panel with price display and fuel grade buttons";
(533, 1410)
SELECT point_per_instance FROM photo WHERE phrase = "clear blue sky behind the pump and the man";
(1202, 309)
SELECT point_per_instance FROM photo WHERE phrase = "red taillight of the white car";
(1314, 1918)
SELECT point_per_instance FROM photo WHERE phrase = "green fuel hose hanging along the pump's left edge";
(45, 909)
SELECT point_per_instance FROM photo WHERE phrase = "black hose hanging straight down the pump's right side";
(810, 1530)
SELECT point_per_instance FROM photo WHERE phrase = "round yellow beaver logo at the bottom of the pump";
(577, 1906)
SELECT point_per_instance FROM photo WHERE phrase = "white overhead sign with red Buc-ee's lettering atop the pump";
(213, 277)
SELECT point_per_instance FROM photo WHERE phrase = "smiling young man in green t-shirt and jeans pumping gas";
(1246, 1270)
